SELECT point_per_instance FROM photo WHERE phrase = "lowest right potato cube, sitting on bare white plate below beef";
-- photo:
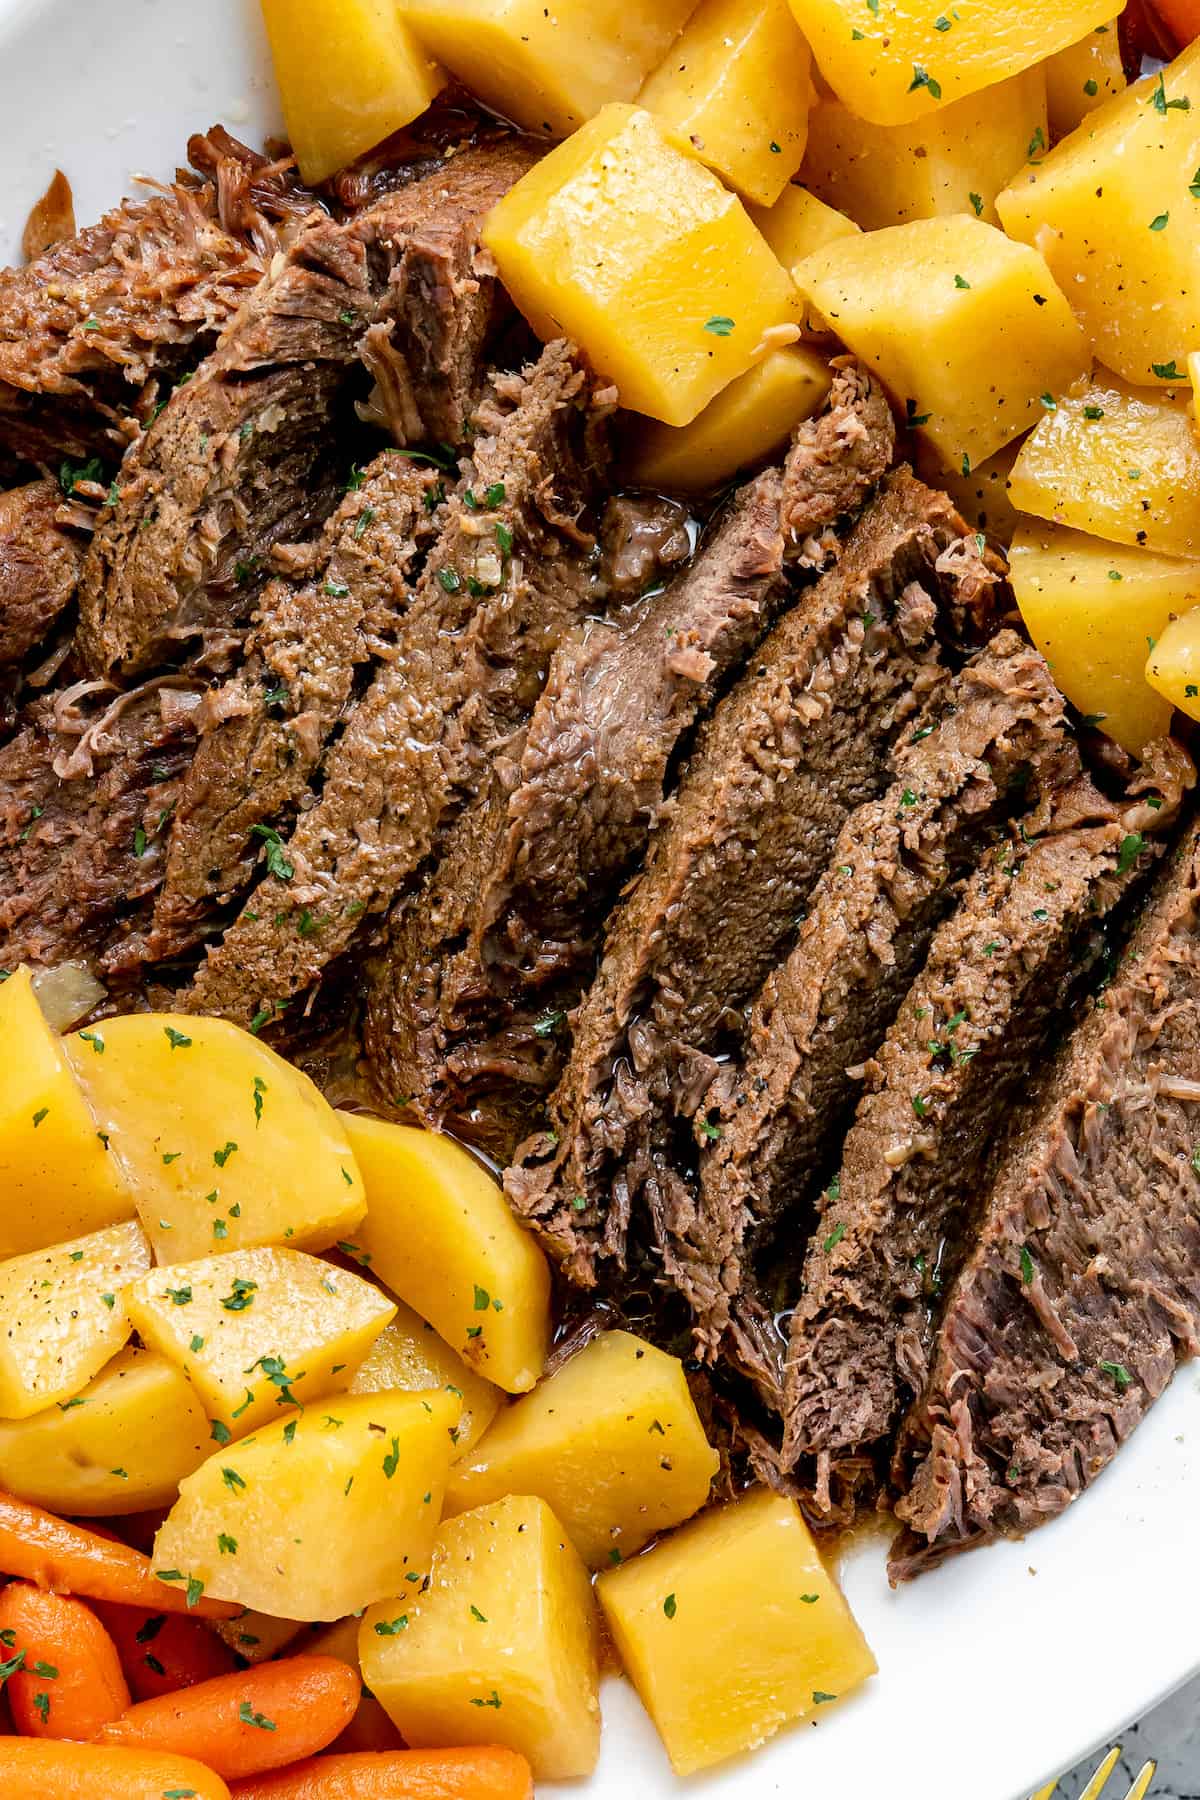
(733, 1630)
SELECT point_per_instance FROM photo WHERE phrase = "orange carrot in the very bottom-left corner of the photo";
(80, 1772)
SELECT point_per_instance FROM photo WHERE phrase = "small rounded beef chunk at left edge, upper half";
(39, 568)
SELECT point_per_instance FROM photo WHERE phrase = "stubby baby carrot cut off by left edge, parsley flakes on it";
(69, 1680)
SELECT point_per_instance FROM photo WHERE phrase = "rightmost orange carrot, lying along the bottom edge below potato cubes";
(404, 1776)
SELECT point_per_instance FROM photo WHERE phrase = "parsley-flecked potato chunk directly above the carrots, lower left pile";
(319, 1515)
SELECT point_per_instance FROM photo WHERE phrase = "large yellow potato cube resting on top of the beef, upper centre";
(629, 246)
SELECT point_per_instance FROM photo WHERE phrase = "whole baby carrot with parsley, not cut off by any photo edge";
(253, 1722)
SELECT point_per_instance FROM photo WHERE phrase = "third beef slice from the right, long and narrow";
(992, 737)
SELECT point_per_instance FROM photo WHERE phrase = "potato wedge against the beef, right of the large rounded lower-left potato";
(442, 1236)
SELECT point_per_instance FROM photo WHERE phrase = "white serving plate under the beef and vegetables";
(1003, 1668)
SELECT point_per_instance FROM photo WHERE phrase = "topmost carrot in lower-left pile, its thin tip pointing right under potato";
(49, 1552)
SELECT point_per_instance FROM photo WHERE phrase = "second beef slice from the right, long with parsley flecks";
(999, 976)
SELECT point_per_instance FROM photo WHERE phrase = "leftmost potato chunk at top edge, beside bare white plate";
(350, 75)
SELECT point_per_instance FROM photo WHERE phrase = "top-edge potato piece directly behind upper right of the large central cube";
(739, 87)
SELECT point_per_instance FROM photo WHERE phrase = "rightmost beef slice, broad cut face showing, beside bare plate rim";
(1084, 1286)
